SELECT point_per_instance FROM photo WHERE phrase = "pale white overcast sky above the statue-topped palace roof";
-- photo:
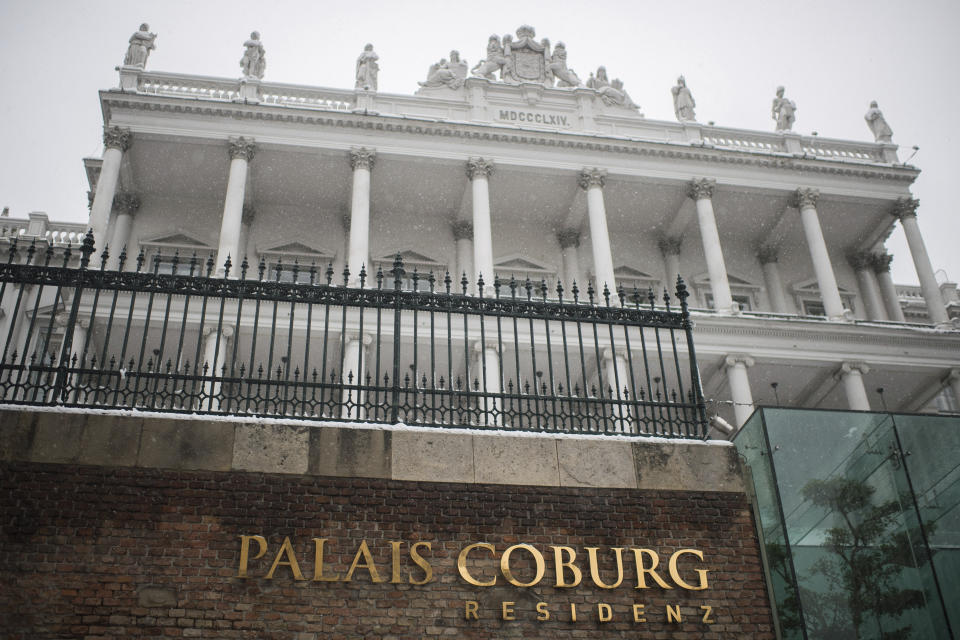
(832, 56)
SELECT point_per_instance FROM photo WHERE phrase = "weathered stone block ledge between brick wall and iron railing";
(165, 441)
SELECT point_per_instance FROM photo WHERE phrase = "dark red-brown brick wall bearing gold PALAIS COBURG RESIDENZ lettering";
(90, 552)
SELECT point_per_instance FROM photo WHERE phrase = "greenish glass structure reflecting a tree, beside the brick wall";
(860, 518)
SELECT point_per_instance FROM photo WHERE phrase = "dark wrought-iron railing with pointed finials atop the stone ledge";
(516, 356)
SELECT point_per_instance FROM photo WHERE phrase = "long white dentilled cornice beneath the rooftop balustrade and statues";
(595, 142)
